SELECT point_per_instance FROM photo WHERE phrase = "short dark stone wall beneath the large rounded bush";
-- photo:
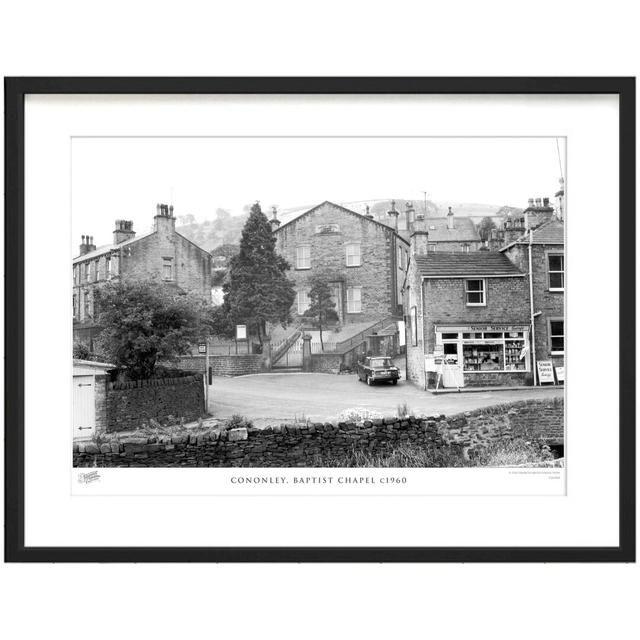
(130, 404)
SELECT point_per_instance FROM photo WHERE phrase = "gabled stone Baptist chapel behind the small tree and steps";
(363, 261)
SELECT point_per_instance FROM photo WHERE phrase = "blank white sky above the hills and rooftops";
(124, 178)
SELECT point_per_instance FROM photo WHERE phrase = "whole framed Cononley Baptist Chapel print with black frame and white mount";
(207, 282)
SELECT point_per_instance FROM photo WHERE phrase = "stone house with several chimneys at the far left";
(162, 254)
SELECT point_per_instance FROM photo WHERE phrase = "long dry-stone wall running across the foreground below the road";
(308, 445)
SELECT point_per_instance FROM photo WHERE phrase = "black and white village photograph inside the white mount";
(318, 302)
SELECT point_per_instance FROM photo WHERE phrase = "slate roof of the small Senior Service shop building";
(462, 265)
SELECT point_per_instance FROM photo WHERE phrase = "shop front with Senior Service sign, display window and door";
(484, 354)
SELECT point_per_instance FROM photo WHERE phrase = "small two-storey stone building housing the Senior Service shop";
(467, 317)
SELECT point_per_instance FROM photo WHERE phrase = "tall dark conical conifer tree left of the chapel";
(257, 289)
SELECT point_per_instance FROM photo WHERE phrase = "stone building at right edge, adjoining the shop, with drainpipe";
(545, 245)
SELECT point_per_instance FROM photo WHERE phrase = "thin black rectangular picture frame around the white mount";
(15, 91)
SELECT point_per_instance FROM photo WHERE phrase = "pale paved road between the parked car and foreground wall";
(274, 398)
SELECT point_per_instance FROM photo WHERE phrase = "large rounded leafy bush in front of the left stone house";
(141, 321)
